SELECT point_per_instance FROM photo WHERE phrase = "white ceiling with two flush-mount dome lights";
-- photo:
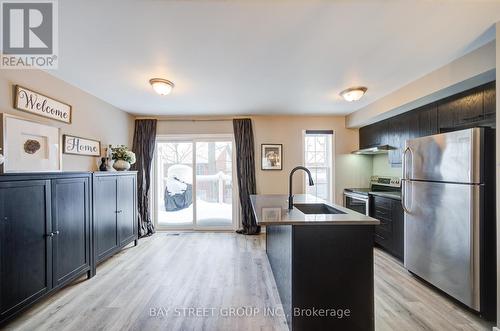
(260, 56)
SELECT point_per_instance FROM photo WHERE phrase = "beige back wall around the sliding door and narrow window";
(350, 170)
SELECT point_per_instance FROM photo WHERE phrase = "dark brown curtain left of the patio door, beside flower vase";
(143, 147)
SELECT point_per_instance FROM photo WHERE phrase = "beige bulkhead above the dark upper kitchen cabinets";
(473, 69)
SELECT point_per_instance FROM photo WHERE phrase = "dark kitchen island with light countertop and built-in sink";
(321, 255)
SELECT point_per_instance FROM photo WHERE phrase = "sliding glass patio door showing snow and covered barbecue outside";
(194, 183)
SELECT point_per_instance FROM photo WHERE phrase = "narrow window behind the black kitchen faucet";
(318, 159)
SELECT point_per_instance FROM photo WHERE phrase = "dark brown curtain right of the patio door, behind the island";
(245, 168)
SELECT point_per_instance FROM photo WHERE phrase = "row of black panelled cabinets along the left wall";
(48, 235)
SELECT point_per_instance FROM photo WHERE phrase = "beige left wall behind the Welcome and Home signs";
(92, 117)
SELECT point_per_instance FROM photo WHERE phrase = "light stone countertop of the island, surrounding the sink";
(272, 209)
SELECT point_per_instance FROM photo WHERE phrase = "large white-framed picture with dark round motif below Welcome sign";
(29, 146)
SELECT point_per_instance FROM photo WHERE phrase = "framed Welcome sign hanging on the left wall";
(42, 105)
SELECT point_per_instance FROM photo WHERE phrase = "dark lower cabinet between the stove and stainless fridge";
(389, 234)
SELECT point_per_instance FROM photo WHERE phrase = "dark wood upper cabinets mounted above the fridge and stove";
(474, 107)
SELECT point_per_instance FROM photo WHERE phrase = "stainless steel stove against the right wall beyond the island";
(357, 199)
